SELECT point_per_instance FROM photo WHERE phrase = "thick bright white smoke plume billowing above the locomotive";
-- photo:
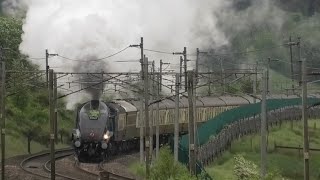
(98, 28)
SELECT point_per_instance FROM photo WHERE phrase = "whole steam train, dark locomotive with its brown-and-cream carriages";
(105, 129)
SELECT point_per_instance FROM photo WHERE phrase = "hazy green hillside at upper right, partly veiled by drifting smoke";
(259, 30)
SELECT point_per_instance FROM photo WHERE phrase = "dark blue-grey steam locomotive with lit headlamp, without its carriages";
(94, 130)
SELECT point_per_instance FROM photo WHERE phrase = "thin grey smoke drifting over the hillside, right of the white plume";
(241, 21)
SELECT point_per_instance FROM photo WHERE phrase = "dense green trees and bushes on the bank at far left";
(27, 97)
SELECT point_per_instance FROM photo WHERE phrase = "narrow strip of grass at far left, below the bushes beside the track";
(18, 146)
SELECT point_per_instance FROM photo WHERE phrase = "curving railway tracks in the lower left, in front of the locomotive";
(39, 166)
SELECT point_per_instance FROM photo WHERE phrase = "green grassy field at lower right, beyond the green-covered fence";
(288, 162)
